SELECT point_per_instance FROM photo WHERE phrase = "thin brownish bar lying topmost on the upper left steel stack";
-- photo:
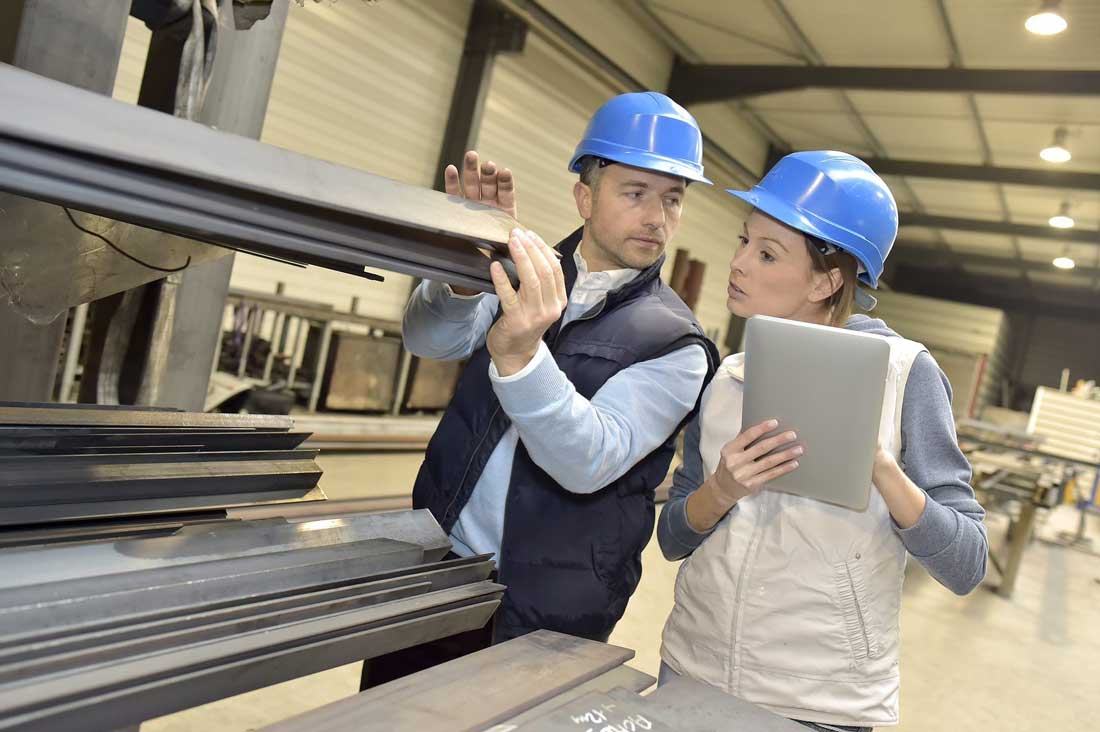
(74, 418)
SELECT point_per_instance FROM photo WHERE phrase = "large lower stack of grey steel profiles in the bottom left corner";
(100, 637)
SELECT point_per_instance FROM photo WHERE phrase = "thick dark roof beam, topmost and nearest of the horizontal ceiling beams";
(700, 83)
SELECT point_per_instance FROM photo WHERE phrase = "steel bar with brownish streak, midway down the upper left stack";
(30, 480)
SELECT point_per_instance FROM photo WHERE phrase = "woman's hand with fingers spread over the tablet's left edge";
(745, 468)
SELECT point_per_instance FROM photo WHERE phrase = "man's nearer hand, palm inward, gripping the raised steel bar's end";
(514, 340)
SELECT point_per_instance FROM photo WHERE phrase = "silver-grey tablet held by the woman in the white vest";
(827, 385)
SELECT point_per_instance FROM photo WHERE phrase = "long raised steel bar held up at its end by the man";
(287, 205)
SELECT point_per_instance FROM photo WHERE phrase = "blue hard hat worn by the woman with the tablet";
(835, 198)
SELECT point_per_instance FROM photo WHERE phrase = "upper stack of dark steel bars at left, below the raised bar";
(76, 472)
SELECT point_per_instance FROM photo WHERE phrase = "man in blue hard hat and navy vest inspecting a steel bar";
(566, 416)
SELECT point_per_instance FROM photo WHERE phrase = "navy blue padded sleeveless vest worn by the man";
(570, 562)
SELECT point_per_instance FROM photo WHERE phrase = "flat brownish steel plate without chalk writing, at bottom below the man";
(507, 680)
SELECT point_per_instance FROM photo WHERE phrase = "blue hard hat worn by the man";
(646, 130)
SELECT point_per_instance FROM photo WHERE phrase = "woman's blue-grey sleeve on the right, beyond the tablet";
(950, 538)
